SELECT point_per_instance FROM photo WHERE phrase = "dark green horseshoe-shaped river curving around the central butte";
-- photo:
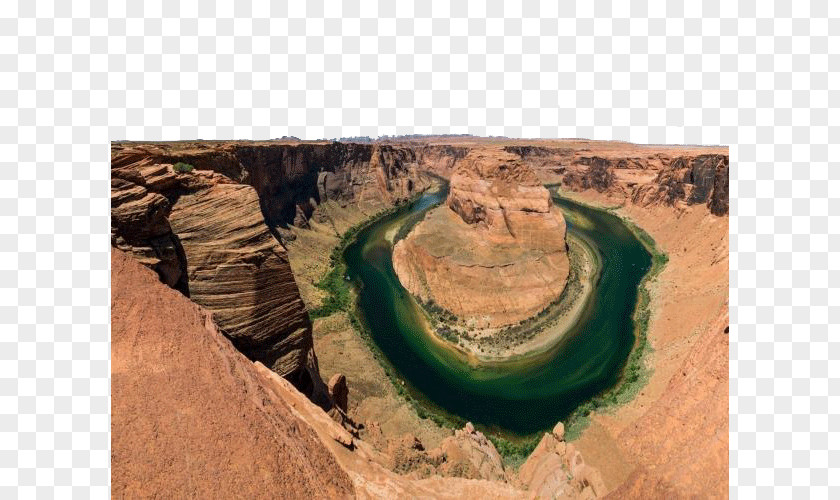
(522, 396)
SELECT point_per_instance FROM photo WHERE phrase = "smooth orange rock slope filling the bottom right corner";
(682, 440)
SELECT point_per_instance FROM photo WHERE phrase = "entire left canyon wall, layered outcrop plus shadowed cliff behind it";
(215, 233)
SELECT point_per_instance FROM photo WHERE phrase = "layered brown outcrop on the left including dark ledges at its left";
(205, 235)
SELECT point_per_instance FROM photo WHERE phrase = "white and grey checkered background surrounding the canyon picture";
(762, 79)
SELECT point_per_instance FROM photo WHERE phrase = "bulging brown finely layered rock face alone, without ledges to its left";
(238, 270)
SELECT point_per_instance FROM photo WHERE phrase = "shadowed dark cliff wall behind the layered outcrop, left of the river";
(292, 178)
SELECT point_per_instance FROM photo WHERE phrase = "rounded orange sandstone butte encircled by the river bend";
(495, 253)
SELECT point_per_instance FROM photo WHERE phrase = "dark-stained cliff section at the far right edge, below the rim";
(690, 180)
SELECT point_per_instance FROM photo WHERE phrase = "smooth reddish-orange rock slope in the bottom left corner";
(190, 416)
